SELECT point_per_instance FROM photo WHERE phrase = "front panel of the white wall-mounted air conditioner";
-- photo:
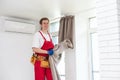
(20, 27)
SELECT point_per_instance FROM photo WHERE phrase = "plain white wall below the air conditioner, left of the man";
(15, 53)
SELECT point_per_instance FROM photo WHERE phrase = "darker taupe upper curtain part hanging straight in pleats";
(66, 29)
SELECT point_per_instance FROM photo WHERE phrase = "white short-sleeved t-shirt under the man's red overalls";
(38, 40)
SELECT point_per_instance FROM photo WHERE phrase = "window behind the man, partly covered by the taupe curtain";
(54, 28)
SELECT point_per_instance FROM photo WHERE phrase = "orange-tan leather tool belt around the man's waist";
(43, 60)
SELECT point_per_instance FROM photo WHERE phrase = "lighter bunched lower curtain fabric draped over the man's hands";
(56, 57)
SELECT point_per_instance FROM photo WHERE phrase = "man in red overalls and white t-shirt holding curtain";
(43, 48)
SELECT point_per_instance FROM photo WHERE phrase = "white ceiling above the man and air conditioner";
(35, 9)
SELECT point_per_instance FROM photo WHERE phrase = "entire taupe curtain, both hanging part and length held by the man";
(65, 39)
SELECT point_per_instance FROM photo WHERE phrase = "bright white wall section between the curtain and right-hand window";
(82, 47)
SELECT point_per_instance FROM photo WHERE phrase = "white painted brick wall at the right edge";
(108, 18)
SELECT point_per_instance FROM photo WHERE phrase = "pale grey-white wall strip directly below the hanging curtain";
(70, 65)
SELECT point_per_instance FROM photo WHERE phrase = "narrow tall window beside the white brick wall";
(94, 55)
